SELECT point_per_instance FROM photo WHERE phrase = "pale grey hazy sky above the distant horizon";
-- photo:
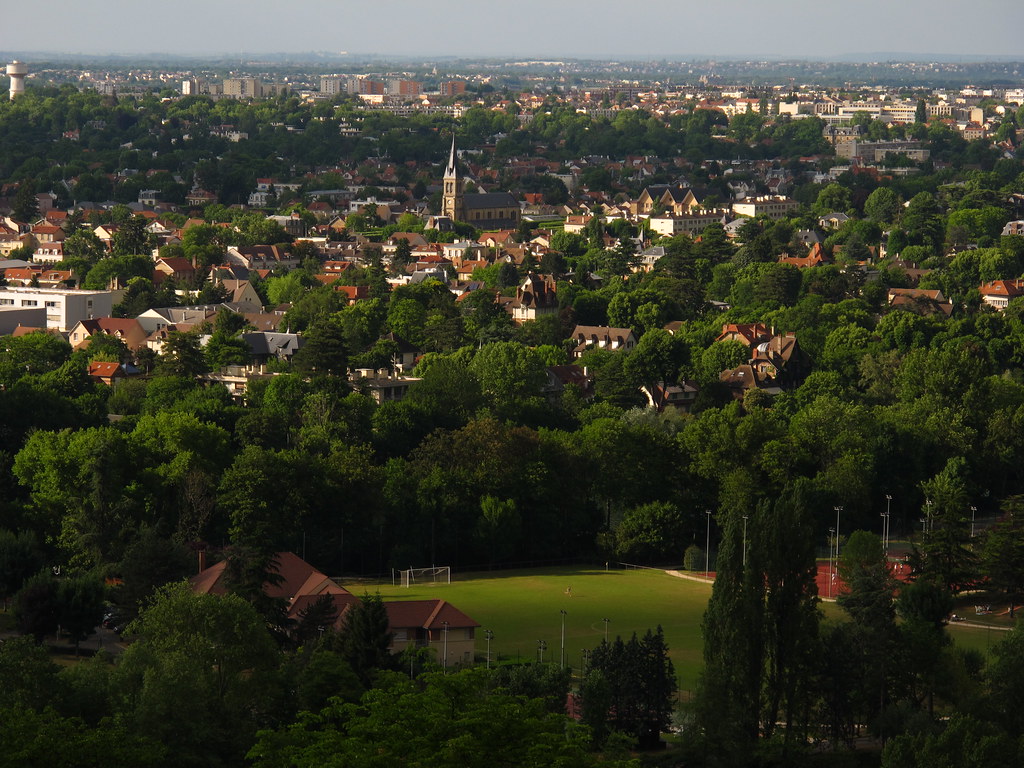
(545, 29)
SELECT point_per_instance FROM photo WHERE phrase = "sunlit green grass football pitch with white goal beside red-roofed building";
(524, 607)
